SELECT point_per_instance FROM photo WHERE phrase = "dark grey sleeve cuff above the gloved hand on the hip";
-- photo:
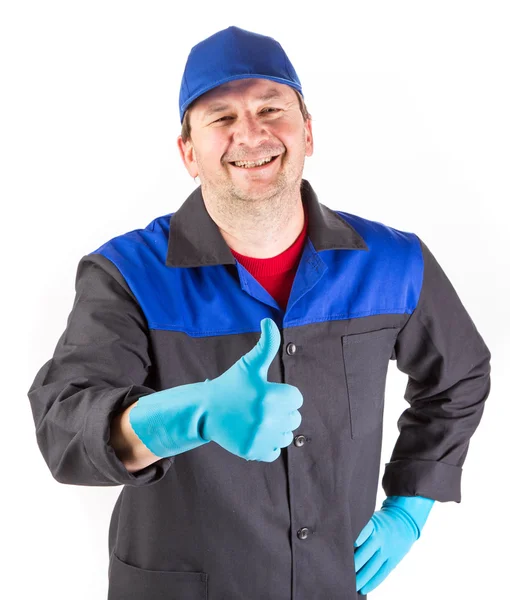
(427, 478)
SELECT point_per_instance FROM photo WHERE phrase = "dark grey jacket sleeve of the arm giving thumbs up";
(98, 369)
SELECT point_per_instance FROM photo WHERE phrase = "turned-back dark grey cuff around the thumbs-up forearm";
(96, 437)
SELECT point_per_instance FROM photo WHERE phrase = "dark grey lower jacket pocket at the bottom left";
(127, 582)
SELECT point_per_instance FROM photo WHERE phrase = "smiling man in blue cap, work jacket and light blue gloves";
(162, 356)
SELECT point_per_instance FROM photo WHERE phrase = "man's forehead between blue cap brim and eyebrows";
(243, 90)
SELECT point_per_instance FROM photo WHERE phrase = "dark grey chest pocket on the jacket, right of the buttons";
(366, 358)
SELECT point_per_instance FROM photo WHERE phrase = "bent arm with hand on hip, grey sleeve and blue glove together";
(448, 366)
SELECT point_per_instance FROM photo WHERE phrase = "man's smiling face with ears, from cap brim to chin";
(247, 120)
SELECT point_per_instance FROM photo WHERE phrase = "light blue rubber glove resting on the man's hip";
(387, 538)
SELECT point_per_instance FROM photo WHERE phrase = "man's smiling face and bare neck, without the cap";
(247, 141)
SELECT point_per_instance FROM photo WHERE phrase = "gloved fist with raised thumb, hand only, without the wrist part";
(244, 412)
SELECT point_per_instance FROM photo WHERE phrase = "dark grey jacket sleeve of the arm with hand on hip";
(448, 365)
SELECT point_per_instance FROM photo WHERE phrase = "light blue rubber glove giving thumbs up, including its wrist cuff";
(239, 410)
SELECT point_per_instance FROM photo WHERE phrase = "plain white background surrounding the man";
(410, 104)
